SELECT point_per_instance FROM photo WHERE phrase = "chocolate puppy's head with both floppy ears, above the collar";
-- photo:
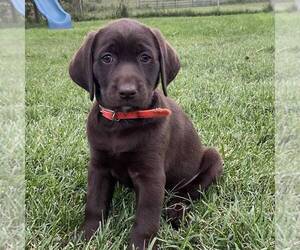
(122, 63)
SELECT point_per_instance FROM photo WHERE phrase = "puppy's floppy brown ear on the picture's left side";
(81, 65)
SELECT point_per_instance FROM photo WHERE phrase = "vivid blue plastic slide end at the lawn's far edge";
(56, 16)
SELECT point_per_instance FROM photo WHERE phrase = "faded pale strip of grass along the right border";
(287, 130)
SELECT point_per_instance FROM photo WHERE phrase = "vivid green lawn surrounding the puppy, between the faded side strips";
(225, 85)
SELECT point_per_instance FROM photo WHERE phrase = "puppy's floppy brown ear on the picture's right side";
(169, 61)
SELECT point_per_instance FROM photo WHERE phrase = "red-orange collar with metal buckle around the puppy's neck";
(139, 114)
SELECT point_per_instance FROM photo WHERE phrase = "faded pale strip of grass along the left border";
(12, 141)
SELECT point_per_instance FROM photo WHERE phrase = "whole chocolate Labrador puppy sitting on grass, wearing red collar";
(137, 135)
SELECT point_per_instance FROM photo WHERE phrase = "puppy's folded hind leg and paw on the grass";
(211, 167)
